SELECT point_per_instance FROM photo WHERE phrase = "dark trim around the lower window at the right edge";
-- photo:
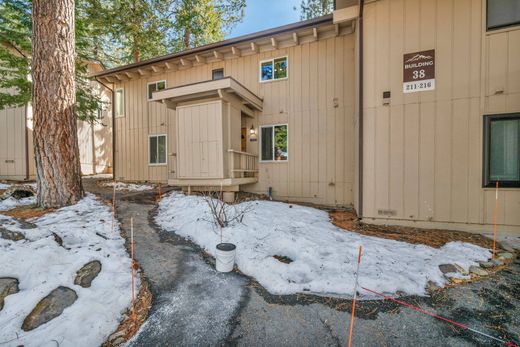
(486, 163)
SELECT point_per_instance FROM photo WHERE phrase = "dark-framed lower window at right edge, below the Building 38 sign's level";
(502, 150)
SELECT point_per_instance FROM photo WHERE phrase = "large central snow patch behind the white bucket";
(324, 256)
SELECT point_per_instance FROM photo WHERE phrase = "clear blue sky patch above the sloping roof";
(266, 14)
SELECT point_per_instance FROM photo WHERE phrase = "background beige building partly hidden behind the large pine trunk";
(16, 139)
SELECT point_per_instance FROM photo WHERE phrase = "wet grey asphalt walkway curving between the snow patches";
(194, 305)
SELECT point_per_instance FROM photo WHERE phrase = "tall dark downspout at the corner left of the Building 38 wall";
(360, 103)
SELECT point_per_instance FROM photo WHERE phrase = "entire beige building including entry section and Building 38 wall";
(407, 110)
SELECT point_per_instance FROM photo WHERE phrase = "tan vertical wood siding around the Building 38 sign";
(423, 152)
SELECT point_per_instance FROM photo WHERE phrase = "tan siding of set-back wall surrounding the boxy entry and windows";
(317, 102)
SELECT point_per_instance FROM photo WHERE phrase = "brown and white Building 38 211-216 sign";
(419, 71)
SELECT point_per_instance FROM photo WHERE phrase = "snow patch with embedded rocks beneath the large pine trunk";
(41, 265)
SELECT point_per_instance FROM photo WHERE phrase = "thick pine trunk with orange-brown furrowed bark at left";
(55, 131)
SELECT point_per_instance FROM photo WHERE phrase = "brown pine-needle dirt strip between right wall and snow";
(432, 237)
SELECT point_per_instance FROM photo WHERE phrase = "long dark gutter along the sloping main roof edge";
(228, 42)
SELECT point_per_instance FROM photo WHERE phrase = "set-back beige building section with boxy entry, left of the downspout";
(271, 112)
